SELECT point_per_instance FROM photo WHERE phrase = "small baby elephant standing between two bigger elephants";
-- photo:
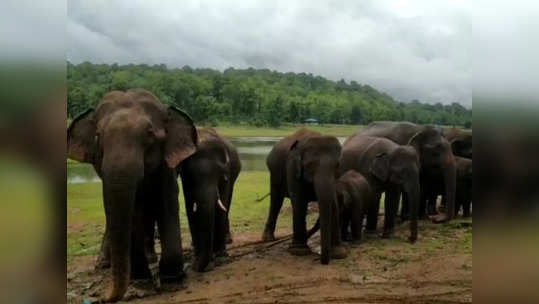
(353, 197)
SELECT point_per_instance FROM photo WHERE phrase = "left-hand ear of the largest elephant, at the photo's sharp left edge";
(81, 143)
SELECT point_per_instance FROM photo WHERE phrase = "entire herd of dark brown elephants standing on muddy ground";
(139, 147)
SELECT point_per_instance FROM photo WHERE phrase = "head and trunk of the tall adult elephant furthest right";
(436, 157)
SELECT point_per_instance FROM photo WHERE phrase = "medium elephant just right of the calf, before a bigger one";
(387, 167)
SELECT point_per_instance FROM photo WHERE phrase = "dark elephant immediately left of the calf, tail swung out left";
(303, 167)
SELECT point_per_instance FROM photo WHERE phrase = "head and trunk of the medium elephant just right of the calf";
(401, 166)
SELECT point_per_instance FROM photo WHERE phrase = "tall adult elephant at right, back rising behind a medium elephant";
(434, 151)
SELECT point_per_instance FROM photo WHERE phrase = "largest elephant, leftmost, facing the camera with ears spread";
(134, 144)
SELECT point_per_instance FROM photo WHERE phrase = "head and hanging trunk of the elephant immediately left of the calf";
(315, 162)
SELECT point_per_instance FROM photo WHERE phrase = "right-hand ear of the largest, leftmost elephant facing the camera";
(181, 137)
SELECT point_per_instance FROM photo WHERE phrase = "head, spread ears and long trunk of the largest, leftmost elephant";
(129, 135)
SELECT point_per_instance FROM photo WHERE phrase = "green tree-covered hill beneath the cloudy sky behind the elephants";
(258, 97)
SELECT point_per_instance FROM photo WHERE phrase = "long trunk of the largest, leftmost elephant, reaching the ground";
(119, 192)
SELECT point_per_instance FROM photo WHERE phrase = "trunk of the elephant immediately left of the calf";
(325, 192)
